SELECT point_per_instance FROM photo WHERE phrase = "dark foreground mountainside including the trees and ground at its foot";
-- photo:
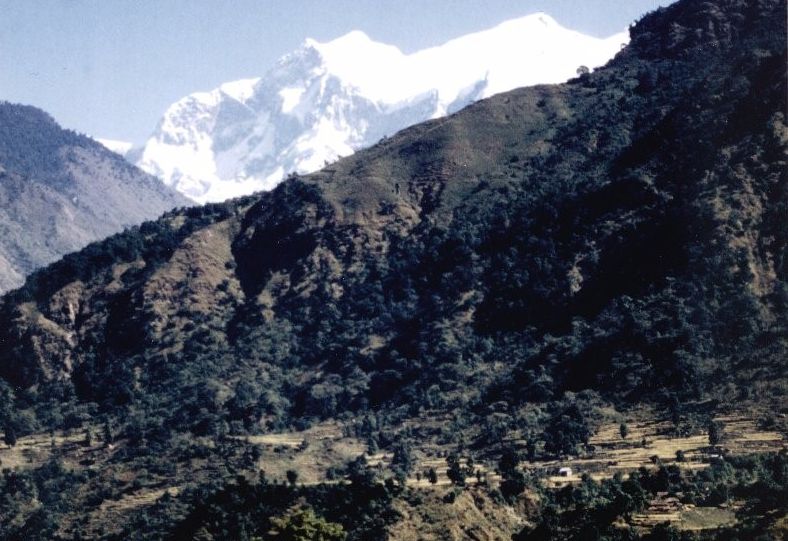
(500, 282)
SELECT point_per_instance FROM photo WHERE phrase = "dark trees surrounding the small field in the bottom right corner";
(592, 510)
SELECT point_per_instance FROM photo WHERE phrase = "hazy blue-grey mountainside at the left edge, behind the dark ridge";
(59, 191)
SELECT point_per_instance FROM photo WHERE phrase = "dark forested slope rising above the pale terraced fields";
(616, 240)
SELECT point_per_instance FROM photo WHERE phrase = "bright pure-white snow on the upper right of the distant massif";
(528, 50)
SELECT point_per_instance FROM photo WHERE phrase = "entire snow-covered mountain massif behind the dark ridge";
(327, 100)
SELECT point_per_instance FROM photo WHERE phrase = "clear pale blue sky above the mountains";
(109, 68)
